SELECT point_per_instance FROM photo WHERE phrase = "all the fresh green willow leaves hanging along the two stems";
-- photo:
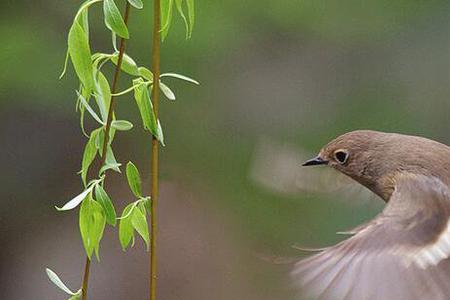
(94, 97)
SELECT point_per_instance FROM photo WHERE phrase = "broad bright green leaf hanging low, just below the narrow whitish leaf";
(92, 224)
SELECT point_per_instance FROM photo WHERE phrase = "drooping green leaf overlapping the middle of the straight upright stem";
(142, 97)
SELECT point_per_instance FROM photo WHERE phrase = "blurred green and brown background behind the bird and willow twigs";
(278, 80)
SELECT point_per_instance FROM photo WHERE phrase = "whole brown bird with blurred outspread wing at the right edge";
(403, 253)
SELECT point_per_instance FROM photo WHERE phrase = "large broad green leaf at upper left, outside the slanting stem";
(80, 54)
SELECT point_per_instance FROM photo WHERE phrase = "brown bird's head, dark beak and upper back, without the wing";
(374, 159)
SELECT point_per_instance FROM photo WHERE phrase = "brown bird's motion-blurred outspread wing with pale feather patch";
(401, 254)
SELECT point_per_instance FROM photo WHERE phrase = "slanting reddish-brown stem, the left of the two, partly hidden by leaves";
(106, 137)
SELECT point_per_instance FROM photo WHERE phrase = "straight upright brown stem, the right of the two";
(156, 59)
